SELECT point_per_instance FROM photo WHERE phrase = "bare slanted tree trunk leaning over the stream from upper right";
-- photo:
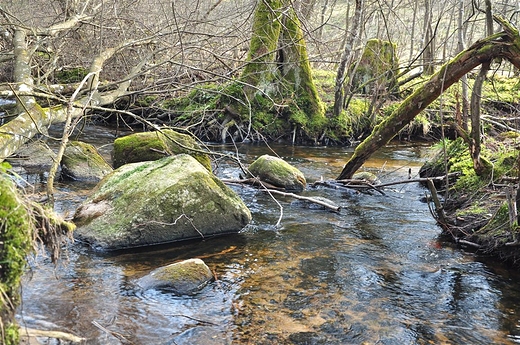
(503, 45)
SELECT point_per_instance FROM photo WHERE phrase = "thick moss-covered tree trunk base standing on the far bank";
(278, 66)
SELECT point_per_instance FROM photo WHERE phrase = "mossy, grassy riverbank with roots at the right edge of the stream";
(480, 213)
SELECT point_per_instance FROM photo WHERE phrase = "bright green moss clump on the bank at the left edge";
(15, 244)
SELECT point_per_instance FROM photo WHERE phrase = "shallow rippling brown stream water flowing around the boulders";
(374, 273)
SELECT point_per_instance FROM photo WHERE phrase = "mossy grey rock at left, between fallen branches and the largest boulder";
(82, 162)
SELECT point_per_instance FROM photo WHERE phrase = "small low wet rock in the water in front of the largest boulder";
(182, 278)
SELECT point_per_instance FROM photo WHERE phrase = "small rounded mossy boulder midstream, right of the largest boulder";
(278, 172)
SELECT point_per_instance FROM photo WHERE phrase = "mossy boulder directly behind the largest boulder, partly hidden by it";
(150, 146)
